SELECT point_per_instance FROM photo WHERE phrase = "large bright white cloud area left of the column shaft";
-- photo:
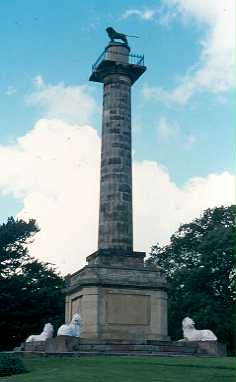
(54, 169)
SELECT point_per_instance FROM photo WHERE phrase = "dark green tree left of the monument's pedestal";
(30, 290)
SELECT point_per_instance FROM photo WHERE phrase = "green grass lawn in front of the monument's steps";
(127, 369)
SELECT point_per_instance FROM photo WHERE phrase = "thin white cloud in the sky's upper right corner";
(214, 72)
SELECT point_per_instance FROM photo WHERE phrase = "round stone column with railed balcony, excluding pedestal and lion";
(117, 74)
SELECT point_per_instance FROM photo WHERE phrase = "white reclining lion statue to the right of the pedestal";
(192, 334)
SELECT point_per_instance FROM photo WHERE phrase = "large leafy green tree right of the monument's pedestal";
(199, 265)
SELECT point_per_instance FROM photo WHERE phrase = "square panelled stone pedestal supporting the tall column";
(118, 298)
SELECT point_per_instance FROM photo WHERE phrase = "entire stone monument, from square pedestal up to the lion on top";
(118, 297)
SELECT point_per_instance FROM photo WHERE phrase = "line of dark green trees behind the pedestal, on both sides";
(199, 264)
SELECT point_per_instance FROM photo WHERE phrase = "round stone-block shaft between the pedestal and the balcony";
(115, 216)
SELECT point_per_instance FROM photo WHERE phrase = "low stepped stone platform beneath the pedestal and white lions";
(73, 346)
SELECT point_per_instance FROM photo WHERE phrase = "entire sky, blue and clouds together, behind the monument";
(183, 117)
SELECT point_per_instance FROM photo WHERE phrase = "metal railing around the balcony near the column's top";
(134, 59)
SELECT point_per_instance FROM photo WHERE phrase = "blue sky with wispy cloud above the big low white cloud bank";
(183, 106)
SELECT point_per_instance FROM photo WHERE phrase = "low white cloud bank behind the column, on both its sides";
(54, 169)
